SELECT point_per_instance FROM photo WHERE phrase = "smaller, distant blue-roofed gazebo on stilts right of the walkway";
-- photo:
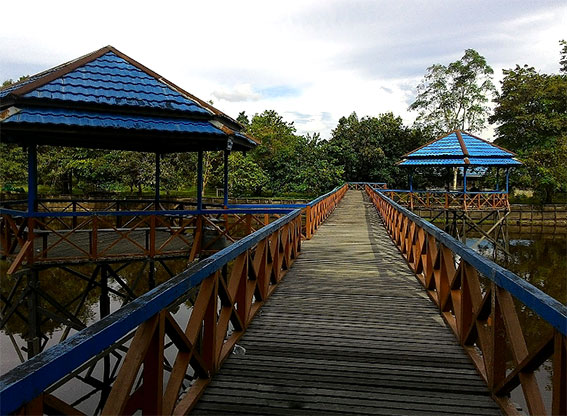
(464, 209)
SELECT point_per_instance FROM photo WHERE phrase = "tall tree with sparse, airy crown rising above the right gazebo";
(455, 96)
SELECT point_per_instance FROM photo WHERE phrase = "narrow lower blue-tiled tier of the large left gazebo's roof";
(77, 118)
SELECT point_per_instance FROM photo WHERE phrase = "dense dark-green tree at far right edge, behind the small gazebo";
(531, 112)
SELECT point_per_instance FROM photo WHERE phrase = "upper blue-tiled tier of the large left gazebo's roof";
(111, 80)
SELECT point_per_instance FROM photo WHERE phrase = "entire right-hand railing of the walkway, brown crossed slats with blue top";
(483, 319)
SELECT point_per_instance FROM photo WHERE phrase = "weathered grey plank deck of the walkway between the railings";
(349, 331)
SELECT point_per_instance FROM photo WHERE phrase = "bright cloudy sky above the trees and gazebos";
(311, 61)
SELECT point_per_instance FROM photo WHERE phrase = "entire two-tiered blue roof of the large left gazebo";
(108, 100)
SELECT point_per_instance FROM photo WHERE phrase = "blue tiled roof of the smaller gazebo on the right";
(459, 148)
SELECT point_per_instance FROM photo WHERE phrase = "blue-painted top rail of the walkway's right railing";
(548, 308)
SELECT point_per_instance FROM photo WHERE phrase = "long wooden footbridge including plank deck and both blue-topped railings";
(358, 326)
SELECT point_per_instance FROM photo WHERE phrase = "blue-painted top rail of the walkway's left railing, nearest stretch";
(27, 381)
